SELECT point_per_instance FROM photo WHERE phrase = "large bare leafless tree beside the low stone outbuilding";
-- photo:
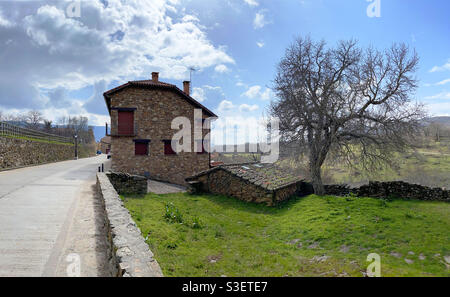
(352, 102)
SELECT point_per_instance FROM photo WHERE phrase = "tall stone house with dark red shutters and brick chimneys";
(141, 116)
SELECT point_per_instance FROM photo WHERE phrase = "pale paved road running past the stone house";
(38, 223)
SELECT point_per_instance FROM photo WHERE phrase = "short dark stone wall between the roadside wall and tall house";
(125, 183)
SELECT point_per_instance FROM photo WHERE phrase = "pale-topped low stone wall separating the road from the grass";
(129, 254)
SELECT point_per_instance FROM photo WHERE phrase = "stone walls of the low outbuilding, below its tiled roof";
(224, 183)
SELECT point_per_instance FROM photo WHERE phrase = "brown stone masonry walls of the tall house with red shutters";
(155, 110)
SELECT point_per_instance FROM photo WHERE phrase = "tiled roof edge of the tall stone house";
(152, 84)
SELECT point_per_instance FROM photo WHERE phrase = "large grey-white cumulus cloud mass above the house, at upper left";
(45, 53)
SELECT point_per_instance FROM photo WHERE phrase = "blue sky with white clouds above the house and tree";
(62, 64)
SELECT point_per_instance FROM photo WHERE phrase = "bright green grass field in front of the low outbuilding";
(234, 238)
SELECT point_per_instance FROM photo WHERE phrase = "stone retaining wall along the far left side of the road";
(16, 153)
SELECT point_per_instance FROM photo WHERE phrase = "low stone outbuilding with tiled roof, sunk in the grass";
(251, 182)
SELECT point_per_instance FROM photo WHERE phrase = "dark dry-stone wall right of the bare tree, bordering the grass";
(391, 190)
